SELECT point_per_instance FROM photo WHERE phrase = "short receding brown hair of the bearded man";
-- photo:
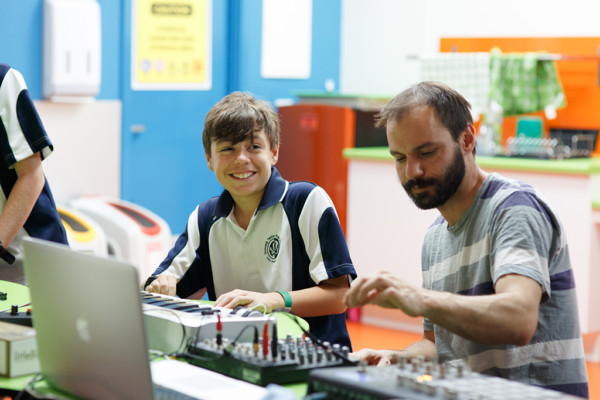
(453, 110)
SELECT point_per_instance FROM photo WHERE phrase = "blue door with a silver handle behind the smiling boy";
(163, 163)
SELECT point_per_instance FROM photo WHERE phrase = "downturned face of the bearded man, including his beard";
(429, 163)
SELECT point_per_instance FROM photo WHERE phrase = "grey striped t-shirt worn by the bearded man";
(510, 229)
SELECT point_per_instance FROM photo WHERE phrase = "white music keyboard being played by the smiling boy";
(172, 322)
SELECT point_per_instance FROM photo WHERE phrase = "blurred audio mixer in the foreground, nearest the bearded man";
(421, 380)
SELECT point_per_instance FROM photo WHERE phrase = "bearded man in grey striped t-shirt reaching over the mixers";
(498, 288)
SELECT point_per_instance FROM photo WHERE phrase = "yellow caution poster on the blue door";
(171, 44)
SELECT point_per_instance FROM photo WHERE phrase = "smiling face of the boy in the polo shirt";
(244, 168)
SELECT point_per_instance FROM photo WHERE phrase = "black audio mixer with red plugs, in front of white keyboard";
(267, 361)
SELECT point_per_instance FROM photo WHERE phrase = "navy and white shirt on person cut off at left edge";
(22, 135)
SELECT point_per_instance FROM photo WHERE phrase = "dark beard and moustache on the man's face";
(443, 188)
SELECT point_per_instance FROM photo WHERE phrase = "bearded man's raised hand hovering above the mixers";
(386, 290)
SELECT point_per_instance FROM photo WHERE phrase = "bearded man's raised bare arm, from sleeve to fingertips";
(509, 316)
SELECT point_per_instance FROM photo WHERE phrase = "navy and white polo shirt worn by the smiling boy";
(294, 241)
